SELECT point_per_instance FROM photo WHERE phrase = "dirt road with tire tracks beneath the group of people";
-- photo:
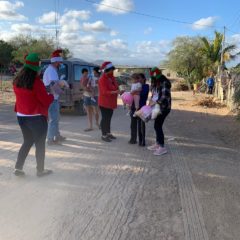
(120, 191)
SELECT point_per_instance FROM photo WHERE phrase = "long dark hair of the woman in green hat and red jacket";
(25, 78)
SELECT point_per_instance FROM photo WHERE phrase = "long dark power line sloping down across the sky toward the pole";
(152, 16)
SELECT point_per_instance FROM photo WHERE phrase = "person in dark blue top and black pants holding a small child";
(137, 124)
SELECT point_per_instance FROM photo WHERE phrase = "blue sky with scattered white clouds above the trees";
(102, 31)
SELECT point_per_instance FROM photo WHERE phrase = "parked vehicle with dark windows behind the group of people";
(71, 71)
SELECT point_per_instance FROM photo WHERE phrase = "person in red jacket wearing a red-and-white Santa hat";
(107, 99)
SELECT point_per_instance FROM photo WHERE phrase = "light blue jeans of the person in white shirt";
(53, 123)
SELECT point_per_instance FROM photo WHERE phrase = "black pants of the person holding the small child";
(137, 128)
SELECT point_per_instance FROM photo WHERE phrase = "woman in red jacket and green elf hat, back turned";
(32, 102)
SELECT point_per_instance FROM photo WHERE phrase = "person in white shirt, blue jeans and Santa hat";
(50, 77)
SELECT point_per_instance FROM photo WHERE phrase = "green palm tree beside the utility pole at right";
(212, 50)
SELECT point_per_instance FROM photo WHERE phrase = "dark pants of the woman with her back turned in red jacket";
(34, 130)
